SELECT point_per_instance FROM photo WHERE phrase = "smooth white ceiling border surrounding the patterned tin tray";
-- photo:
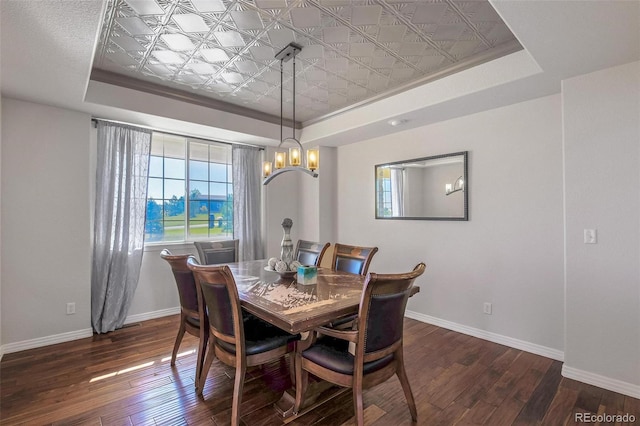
(47, 52)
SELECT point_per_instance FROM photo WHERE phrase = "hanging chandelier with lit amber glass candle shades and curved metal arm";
(296, 153)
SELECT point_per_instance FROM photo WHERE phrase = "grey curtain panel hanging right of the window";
(247, 205)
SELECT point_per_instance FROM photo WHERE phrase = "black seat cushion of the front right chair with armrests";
(333, 354)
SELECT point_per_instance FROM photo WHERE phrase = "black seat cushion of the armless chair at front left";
(260, 337)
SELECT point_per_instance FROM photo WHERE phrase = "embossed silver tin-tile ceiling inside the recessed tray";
(353, 51)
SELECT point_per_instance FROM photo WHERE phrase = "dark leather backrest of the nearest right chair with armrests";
(382, 307)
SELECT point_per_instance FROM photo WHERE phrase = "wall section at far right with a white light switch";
(601, 113)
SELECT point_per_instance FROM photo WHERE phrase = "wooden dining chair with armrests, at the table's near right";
(370, 353)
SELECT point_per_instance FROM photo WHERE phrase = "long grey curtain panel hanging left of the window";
(121, 194)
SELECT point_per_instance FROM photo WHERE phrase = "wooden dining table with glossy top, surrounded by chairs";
(299, 308)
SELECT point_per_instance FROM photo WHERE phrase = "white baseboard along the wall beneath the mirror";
(487, 335)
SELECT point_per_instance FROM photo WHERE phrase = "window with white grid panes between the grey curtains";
(190, 193)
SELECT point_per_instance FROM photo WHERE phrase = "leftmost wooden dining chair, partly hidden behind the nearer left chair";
(193, 316)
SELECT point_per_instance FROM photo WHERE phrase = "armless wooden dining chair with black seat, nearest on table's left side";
(236, 340)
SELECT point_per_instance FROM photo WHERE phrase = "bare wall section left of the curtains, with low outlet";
(46, 236)
